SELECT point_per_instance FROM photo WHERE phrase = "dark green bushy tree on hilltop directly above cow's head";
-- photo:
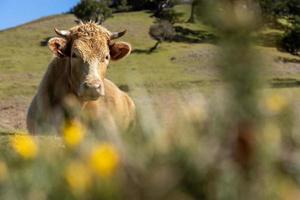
(96, 10)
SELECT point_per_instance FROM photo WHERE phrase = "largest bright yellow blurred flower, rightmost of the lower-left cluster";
(104, 160)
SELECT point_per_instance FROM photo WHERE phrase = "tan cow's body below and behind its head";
(51, 105)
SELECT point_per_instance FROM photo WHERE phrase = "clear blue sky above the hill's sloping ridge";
(17, 12)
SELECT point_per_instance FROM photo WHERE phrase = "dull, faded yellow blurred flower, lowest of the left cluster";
(77, 176)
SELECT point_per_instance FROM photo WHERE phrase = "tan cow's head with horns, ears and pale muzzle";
(89, 47)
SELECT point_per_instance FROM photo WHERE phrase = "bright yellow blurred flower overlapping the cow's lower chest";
(73, 134)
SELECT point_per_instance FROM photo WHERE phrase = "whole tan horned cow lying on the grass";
(76, 76)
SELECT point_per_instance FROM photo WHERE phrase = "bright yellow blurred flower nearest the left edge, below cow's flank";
(25, 146)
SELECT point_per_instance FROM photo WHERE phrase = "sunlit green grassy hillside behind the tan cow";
(175, 66)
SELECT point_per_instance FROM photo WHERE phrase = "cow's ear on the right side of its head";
(119, 50)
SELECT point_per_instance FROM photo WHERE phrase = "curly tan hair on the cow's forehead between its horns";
(91, 40)
